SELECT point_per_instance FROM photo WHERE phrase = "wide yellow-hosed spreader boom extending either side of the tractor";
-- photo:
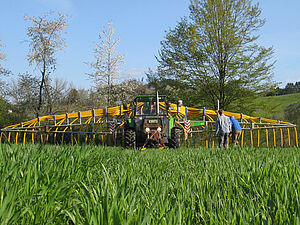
(98, 118)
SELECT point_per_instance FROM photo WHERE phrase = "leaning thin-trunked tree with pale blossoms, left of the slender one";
(45, 39)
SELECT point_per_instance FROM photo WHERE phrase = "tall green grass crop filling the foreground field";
(44, 184)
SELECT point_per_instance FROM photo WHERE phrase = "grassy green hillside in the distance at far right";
(273, 106)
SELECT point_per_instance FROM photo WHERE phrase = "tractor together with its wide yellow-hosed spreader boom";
(149, 121)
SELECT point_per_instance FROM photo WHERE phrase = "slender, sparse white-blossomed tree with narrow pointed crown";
(108, 61)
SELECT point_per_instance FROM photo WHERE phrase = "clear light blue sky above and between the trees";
(141, 26)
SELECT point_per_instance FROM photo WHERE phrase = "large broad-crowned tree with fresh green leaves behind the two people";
(214, 54)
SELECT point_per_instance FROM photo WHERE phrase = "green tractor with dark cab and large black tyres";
(151, 125)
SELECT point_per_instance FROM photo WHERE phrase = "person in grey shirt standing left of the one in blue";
(223, 128)
